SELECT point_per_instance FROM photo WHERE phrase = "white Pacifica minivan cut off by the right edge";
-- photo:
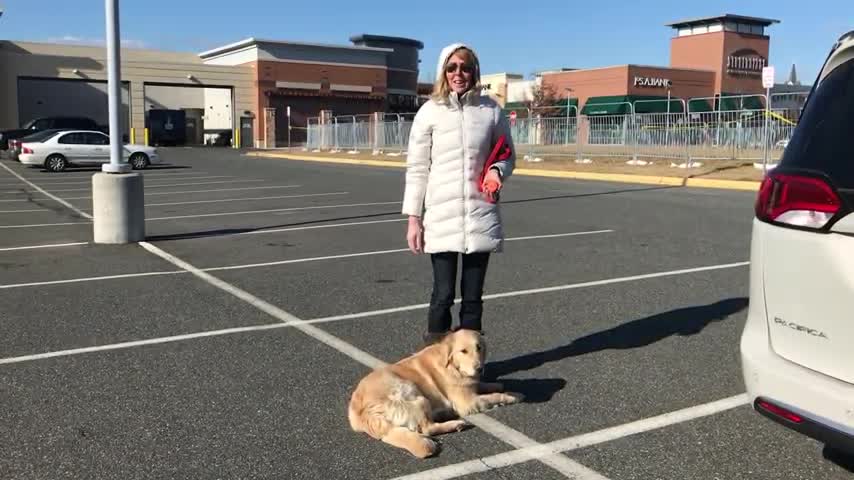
(797, 347)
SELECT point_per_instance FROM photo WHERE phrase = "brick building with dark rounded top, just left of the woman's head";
(295, 80)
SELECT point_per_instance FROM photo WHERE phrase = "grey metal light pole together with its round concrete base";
(118, 204)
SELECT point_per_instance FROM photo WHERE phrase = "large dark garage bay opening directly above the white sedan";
(49, 97)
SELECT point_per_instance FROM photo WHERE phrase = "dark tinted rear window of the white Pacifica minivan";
(824, 138)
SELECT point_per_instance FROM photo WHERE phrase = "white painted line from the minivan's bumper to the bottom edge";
(522, 455)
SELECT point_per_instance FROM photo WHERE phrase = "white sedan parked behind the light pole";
(82, 147)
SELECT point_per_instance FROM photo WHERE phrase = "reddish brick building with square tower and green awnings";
(710, 57)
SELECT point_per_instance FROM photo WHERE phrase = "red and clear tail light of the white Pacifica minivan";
(797, 200)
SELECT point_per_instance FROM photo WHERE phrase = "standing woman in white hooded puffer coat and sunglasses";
(449, 216)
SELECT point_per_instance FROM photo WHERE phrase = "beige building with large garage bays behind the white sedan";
(42, 79)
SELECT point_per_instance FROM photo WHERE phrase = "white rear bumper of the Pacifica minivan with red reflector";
(824, 404)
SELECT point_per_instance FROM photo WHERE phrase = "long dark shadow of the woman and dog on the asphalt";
(634, 334)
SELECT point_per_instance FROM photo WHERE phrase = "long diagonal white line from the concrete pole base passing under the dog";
(562, 464)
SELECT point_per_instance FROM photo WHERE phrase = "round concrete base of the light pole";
(118, 207)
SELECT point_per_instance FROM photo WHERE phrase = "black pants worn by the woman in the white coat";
(444, 289)
